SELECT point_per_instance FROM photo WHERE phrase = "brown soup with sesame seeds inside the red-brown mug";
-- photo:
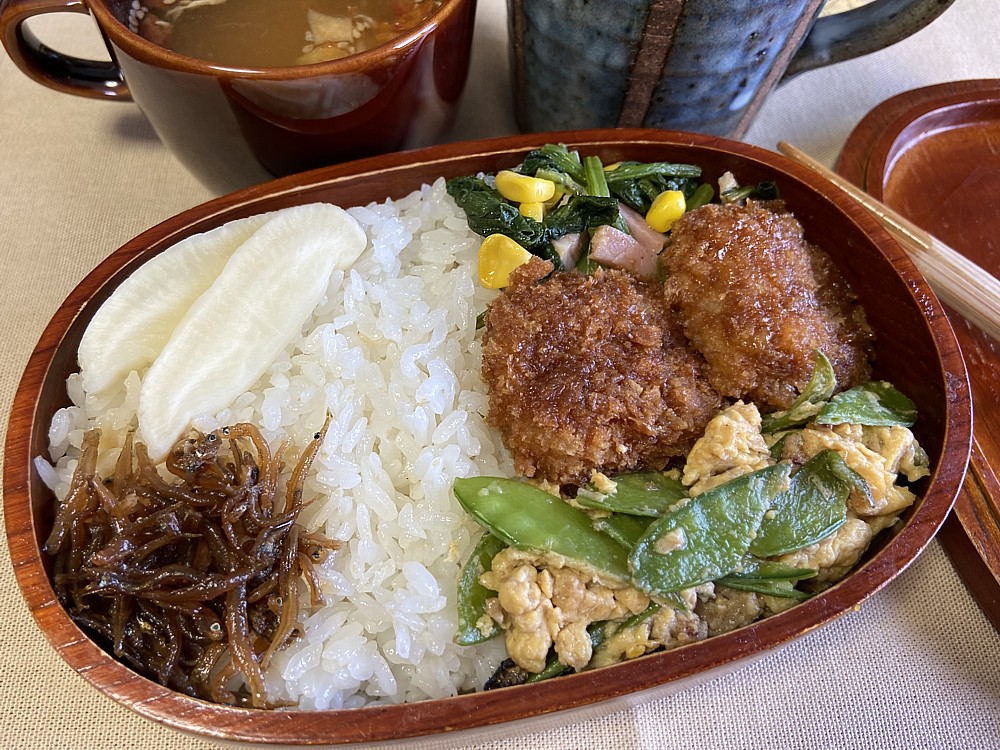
(275, 33)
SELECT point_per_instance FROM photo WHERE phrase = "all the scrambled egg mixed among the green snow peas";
(546, 601)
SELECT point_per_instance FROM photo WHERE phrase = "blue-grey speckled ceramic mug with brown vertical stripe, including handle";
(703, 66)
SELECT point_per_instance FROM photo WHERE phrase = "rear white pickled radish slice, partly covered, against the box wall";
(133, 325)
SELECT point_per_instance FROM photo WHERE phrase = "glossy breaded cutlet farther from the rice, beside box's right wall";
(756, 299)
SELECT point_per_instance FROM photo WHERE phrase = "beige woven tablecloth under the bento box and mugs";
(918, 666)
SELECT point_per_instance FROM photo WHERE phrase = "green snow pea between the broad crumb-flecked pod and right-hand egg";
(813, 507)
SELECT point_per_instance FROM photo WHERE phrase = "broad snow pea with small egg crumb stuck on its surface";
(707, 537)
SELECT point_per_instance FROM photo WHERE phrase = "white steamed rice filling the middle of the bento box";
(392, 355)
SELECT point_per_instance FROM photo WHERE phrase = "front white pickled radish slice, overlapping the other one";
(241, 323)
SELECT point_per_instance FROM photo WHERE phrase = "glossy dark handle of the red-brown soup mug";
(71, 75)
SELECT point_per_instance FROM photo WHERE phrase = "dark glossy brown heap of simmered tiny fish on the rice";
(191, 580)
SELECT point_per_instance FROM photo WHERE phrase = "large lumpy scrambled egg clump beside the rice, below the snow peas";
(545, 602)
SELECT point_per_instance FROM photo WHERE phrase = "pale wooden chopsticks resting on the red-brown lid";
(964, 286)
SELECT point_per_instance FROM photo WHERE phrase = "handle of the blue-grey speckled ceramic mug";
(869, 28)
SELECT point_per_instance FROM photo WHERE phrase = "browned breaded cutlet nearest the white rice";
(590, 372)
